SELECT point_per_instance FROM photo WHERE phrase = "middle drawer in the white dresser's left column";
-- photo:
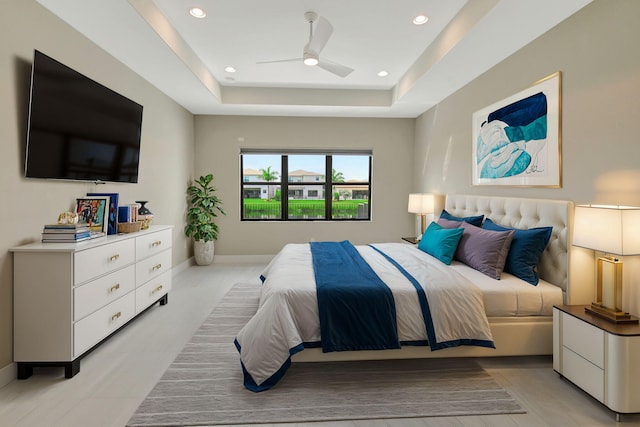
(93, 295)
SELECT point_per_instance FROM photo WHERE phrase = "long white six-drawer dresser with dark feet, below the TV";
(68, 297)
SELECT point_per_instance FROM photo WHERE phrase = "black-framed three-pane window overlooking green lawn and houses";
(318, 185)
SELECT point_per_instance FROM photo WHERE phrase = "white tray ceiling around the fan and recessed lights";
(185, 57)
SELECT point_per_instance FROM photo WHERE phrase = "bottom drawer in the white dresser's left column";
(95, 327)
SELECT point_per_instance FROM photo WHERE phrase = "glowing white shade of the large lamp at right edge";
(609, 229)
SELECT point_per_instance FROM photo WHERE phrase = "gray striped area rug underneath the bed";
(203, 386)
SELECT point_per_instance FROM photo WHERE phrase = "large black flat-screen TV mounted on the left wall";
(79, 129)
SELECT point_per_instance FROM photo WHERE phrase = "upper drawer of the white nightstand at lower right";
(584, 339)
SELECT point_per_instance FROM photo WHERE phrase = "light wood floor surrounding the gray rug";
(116, 377)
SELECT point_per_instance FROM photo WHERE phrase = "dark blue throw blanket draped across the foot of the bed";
(356, 308)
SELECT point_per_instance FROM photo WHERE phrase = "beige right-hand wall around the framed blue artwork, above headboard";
(597, 52)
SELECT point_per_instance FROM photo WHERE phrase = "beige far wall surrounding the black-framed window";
(218, 143)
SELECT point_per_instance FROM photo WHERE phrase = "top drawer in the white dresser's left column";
(100, 260)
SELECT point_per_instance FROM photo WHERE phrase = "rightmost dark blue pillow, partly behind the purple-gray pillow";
(526, 248)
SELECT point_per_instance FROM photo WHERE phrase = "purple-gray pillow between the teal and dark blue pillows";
(484, 250)
